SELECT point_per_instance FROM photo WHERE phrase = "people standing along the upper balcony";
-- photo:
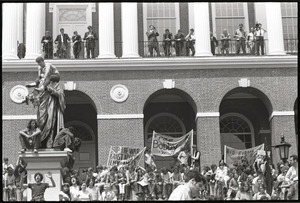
(184, 45)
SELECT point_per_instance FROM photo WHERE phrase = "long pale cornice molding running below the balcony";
(176, 63)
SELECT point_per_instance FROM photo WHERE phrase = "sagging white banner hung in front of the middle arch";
(163, 145)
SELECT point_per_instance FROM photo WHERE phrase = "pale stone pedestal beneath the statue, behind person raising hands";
(43, 162)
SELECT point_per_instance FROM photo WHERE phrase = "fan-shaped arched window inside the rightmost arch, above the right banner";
(236, 131)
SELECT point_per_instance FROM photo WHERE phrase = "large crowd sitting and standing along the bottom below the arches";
(243, 181)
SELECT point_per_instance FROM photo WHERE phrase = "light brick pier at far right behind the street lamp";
(283, 124)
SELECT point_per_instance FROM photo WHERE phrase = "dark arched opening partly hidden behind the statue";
(81, 113)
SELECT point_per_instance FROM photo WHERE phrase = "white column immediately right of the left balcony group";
(106, 31)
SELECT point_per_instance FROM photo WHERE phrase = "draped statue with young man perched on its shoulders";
(50, 100)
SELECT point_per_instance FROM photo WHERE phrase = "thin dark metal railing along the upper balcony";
(290, 46)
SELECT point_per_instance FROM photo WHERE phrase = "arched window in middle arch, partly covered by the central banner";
(165, 123)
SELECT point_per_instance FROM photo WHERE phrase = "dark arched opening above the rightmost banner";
(244, 119)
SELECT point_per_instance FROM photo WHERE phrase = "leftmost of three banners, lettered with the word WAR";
(120, 155)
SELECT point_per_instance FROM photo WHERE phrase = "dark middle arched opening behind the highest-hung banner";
(170, 112)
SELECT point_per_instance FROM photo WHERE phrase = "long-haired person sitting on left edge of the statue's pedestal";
(30, 136)
